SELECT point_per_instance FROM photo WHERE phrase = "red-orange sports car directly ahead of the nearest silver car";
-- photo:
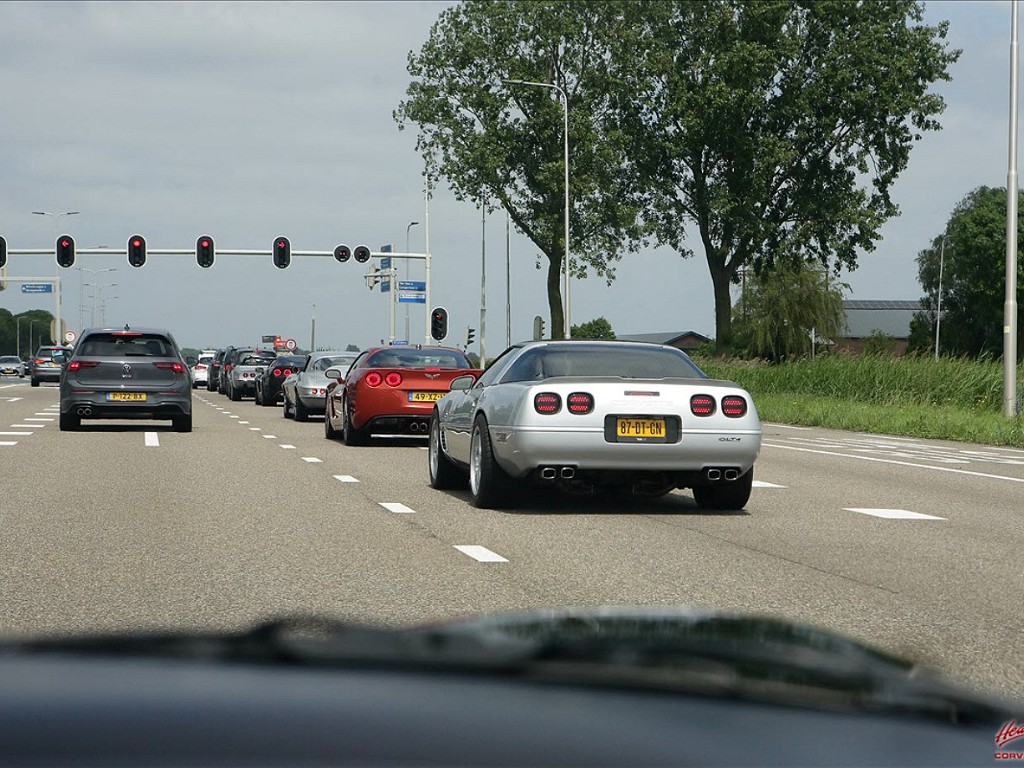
(391, 391)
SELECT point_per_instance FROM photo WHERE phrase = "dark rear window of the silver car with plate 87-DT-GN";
(587, 360)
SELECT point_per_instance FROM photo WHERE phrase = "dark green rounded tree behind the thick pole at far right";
(973, 265)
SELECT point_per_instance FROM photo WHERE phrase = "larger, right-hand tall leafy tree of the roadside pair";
(777, 130)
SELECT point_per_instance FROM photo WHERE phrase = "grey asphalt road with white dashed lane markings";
(911, 545)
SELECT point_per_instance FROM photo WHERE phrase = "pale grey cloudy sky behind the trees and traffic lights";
(247, 121)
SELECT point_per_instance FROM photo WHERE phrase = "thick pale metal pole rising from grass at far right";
(1010, 306)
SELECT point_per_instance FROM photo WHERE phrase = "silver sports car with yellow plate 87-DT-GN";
(595, 417)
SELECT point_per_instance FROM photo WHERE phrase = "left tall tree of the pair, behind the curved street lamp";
(496, 143)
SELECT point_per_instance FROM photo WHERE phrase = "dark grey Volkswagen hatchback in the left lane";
(126, 374)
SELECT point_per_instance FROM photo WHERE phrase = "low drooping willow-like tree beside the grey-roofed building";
(783, 311)
